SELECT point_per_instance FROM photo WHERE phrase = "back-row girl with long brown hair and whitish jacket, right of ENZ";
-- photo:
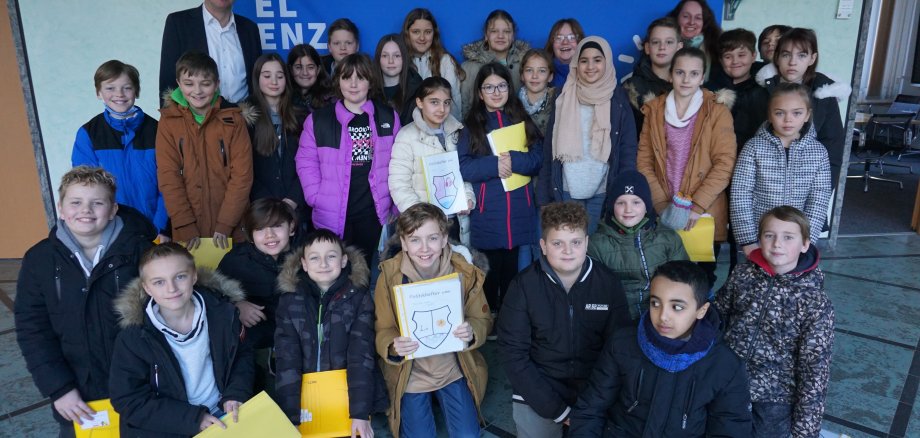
(423, 39)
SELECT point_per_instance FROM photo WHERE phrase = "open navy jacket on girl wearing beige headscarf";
(623, 138)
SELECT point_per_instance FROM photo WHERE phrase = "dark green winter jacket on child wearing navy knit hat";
(620, 252)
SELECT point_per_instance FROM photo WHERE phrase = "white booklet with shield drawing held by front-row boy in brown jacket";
(429, 312)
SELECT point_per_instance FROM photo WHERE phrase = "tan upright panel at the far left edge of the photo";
(22, 215)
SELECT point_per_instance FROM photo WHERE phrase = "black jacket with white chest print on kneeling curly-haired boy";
(550, 339)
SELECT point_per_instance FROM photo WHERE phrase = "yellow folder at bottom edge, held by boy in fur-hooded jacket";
(259, 416)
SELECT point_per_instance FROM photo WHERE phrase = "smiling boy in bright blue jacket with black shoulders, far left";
(121, 140)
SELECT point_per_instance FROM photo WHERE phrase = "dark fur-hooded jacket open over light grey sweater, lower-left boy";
(146, 381)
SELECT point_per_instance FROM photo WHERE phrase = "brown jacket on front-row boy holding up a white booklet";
(475, 311)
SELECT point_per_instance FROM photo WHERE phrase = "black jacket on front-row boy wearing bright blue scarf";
(636, 398)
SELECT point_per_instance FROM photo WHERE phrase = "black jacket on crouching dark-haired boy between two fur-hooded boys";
(258, 274)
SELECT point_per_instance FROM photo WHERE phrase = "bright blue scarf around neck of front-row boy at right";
(674, 355)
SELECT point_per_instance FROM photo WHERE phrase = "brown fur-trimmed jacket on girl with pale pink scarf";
(712, 158)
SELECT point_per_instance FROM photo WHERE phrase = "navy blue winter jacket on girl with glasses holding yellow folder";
(501, 219)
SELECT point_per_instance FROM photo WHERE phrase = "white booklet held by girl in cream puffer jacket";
(444, 183)
